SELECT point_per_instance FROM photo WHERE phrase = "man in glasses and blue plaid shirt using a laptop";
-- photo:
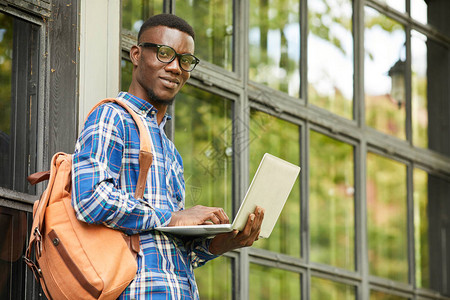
(106, 167)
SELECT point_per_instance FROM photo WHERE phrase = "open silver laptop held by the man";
(270, 188)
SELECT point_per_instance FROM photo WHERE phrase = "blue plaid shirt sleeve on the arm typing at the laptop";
(96, 166)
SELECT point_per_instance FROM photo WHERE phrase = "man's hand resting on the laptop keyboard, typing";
(199, 215)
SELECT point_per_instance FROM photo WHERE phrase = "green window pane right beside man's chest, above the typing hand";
(203, 136)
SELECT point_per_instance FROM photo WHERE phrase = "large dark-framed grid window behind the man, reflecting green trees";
(355, 92)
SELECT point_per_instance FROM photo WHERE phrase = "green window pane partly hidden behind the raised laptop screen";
(282, 139)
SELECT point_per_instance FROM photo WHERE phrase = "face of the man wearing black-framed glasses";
(153, 80)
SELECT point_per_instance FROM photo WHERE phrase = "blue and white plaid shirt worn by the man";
(105, 171)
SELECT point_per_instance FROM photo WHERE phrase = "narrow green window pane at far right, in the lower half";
(421, 228)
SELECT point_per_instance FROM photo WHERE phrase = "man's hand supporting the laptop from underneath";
(225, 242)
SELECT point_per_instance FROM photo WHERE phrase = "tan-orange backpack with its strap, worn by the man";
(70, 258)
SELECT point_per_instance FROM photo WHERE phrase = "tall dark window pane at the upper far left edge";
(19, 86)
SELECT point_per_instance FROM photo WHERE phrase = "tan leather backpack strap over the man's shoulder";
(145, 152)
